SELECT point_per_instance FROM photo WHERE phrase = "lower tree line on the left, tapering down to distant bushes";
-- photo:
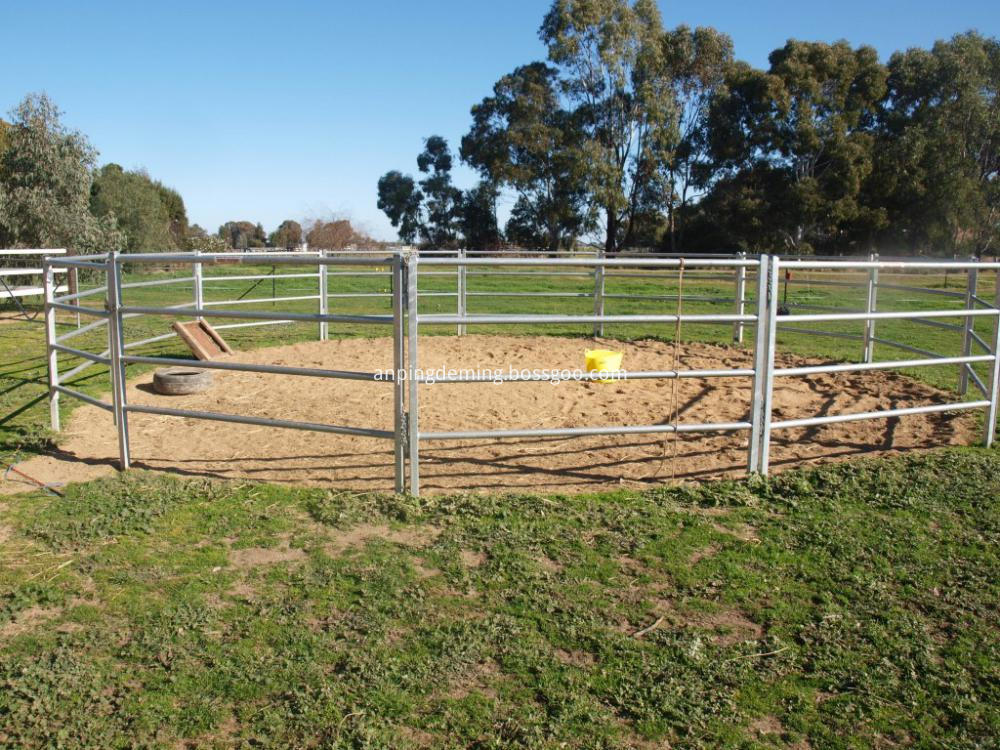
(53, 194)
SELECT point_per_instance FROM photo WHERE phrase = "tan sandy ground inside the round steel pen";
(201, 448)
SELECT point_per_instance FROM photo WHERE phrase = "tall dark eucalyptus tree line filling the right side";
(645, 136)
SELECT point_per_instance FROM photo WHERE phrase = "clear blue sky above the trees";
(272, 110)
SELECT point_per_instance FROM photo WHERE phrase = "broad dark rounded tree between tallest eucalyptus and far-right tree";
(802, 137)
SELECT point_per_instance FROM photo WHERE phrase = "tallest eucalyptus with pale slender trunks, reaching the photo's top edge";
(609, 54)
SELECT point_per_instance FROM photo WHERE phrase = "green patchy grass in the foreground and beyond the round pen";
(849, 606)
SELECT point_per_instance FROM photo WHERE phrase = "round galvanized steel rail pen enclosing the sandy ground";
(763, 313)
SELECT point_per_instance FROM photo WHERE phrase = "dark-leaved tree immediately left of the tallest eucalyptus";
(523, 138)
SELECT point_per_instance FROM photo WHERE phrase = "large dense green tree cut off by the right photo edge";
(939, 147)
